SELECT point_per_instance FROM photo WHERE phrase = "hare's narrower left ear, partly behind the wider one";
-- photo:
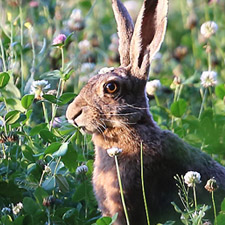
(125, 29)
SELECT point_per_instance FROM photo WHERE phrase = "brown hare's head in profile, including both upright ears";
(117, 97)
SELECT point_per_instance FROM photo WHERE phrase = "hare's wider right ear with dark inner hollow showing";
(148, 35)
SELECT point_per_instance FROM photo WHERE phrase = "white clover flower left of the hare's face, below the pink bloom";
(37, 88)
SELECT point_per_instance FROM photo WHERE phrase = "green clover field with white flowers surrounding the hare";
(48, 51)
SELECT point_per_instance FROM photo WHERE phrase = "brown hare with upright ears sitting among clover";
(113, 107)
